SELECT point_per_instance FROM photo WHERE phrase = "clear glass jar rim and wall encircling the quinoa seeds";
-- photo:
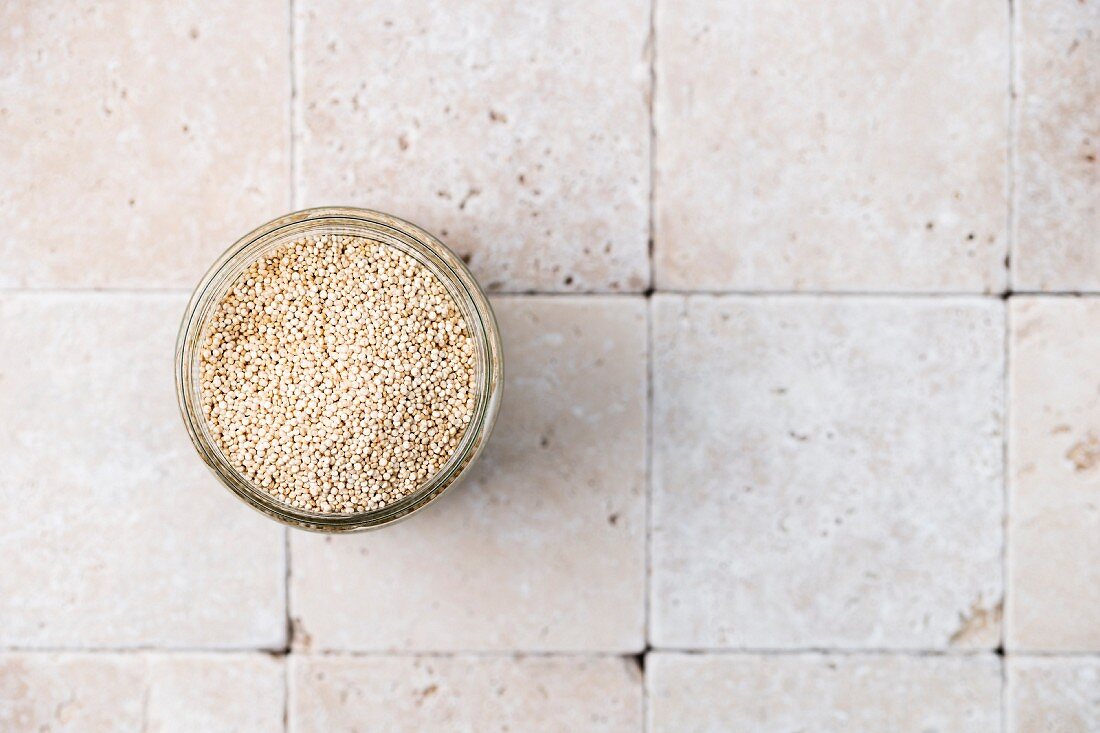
(375, 226)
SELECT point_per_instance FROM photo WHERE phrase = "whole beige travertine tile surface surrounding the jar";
(801, 305)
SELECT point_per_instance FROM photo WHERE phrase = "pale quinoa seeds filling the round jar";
(338, 375)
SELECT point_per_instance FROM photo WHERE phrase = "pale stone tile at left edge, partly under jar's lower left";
(115, 532)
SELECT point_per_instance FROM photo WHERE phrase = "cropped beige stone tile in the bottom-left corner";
(114, 693)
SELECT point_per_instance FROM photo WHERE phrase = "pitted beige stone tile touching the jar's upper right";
(518, 133)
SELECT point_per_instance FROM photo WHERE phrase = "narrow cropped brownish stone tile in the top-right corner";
(1058, 182)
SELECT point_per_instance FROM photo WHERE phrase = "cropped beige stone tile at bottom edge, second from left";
(388, 695)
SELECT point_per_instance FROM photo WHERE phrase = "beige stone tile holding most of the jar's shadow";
(543, 546)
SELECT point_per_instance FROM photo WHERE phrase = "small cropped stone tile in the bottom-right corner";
(1053, 695)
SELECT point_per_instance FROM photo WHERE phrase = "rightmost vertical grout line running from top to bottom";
(1006, 391)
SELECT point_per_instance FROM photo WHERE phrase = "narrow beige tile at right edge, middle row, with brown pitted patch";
(1054, 463)
